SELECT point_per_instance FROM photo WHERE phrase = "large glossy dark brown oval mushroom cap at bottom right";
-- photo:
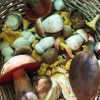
(84, 75)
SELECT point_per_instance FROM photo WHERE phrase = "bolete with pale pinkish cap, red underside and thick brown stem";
(14, 69)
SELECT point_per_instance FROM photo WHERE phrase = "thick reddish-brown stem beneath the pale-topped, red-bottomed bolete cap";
(22, 84)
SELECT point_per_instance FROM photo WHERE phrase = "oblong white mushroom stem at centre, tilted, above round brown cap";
(44, 44)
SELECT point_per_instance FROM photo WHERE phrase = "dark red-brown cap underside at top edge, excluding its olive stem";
(39, 11)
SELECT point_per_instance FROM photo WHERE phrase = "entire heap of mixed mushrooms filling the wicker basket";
(61, 46)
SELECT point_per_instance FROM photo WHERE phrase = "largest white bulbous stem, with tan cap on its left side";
(53, 24)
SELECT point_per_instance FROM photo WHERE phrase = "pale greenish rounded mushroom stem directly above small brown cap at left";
(21, 42)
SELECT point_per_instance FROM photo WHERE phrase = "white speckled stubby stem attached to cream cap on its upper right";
(75, 41)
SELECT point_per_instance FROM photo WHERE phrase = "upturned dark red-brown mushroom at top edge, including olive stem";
(37, 8)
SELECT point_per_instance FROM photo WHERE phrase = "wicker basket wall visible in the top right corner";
(90, 8)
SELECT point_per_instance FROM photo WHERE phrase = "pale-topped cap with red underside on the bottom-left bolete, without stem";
(25, 62)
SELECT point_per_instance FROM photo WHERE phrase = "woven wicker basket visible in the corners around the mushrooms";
(90, 8)
